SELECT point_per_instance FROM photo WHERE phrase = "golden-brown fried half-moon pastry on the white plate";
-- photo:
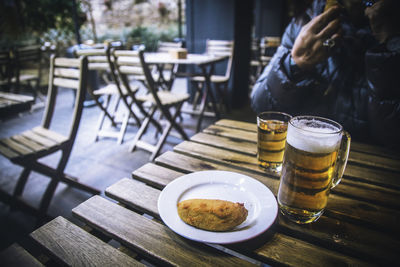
(212, 214)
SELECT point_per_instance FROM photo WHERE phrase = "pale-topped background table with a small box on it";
(206, 64)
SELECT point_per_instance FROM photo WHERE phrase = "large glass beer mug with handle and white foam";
(316, 154)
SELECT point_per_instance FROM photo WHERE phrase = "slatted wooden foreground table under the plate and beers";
(360, 226)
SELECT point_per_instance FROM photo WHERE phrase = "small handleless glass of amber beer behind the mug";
(272, 129)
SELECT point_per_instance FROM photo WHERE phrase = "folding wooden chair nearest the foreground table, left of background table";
(133, 63)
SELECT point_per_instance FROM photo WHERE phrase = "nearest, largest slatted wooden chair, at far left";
(27, 148)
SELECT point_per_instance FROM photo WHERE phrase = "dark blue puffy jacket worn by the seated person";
(357, 86)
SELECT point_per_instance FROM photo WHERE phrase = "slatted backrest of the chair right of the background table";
(222, 48)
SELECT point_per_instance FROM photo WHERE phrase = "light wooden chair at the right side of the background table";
(219, 48)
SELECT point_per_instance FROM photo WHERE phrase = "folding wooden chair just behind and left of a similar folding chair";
(100, 60)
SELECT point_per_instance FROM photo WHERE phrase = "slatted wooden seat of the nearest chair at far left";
(36, 142)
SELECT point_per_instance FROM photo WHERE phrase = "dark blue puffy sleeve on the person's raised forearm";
(277, 87)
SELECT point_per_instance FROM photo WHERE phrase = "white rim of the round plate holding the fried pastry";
(230, 235)
